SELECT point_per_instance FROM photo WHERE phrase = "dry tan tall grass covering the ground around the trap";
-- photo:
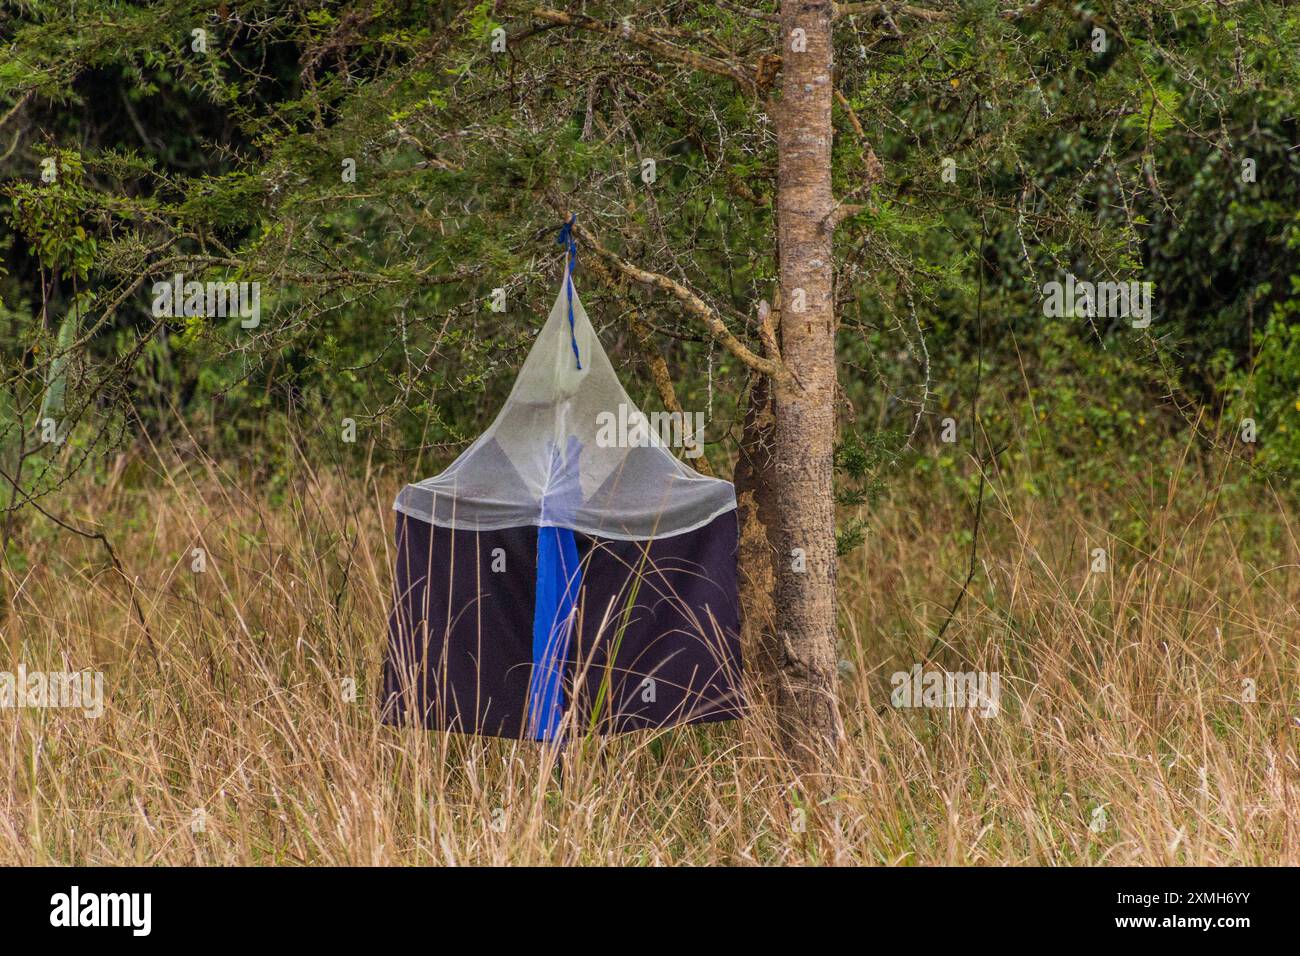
(1121, 691)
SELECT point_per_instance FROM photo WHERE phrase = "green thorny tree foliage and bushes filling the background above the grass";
(228, 166)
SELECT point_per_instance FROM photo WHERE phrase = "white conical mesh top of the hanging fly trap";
(560, 455)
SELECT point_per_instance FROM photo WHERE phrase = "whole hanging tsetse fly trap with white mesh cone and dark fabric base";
(562, 577)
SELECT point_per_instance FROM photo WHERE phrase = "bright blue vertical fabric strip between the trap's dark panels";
(558, 579)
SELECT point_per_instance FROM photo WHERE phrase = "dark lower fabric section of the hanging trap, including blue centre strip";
(655, 639)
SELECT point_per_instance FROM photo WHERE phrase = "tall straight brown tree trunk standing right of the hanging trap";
(804, 409)
